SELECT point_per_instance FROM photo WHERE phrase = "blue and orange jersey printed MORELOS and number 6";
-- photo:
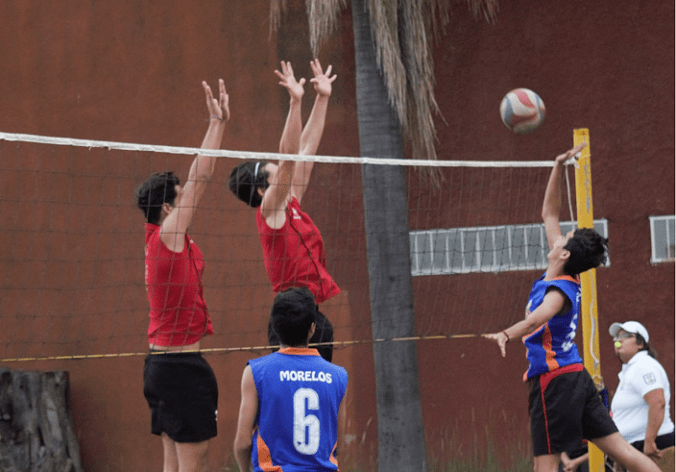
(299, 394)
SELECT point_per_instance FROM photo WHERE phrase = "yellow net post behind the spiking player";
(588, 306)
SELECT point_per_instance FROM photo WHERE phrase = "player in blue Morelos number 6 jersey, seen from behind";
(288, 417)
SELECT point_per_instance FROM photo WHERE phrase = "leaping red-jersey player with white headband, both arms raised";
(293, 248)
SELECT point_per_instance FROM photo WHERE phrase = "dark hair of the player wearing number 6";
(292, 315)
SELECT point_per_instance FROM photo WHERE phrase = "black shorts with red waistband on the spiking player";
(567, 410)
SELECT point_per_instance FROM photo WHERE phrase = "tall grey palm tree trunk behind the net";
(400, 428)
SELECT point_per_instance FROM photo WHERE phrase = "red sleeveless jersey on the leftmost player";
(178, 312)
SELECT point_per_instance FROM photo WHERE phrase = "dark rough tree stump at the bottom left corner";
(36, 432)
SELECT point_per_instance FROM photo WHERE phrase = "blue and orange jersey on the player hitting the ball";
(552, 345)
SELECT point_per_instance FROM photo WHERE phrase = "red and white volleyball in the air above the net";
(522, 110)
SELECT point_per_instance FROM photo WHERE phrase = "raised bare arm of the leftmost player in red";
(177, 222)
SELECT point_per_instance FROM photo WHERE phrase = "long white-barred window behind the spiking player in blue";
(485, 248)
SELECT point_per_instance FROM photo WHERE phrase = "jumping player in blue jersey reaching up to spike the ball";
(564, 404)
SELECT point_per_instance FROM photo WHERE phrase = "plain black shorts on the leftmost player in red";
(182, 394)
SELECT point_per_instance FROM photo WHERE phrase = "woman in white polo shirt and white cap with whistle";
(640, 406)
